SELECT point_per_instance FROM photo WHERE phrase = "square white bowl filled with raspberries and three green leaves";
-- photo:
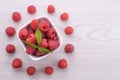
(39, 38)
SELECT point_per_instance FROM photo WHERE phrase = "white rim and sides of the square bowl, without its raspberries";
(41, 57)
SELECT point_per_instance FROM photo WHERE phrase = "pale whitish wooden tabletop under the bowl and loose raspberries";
(96, 39)
